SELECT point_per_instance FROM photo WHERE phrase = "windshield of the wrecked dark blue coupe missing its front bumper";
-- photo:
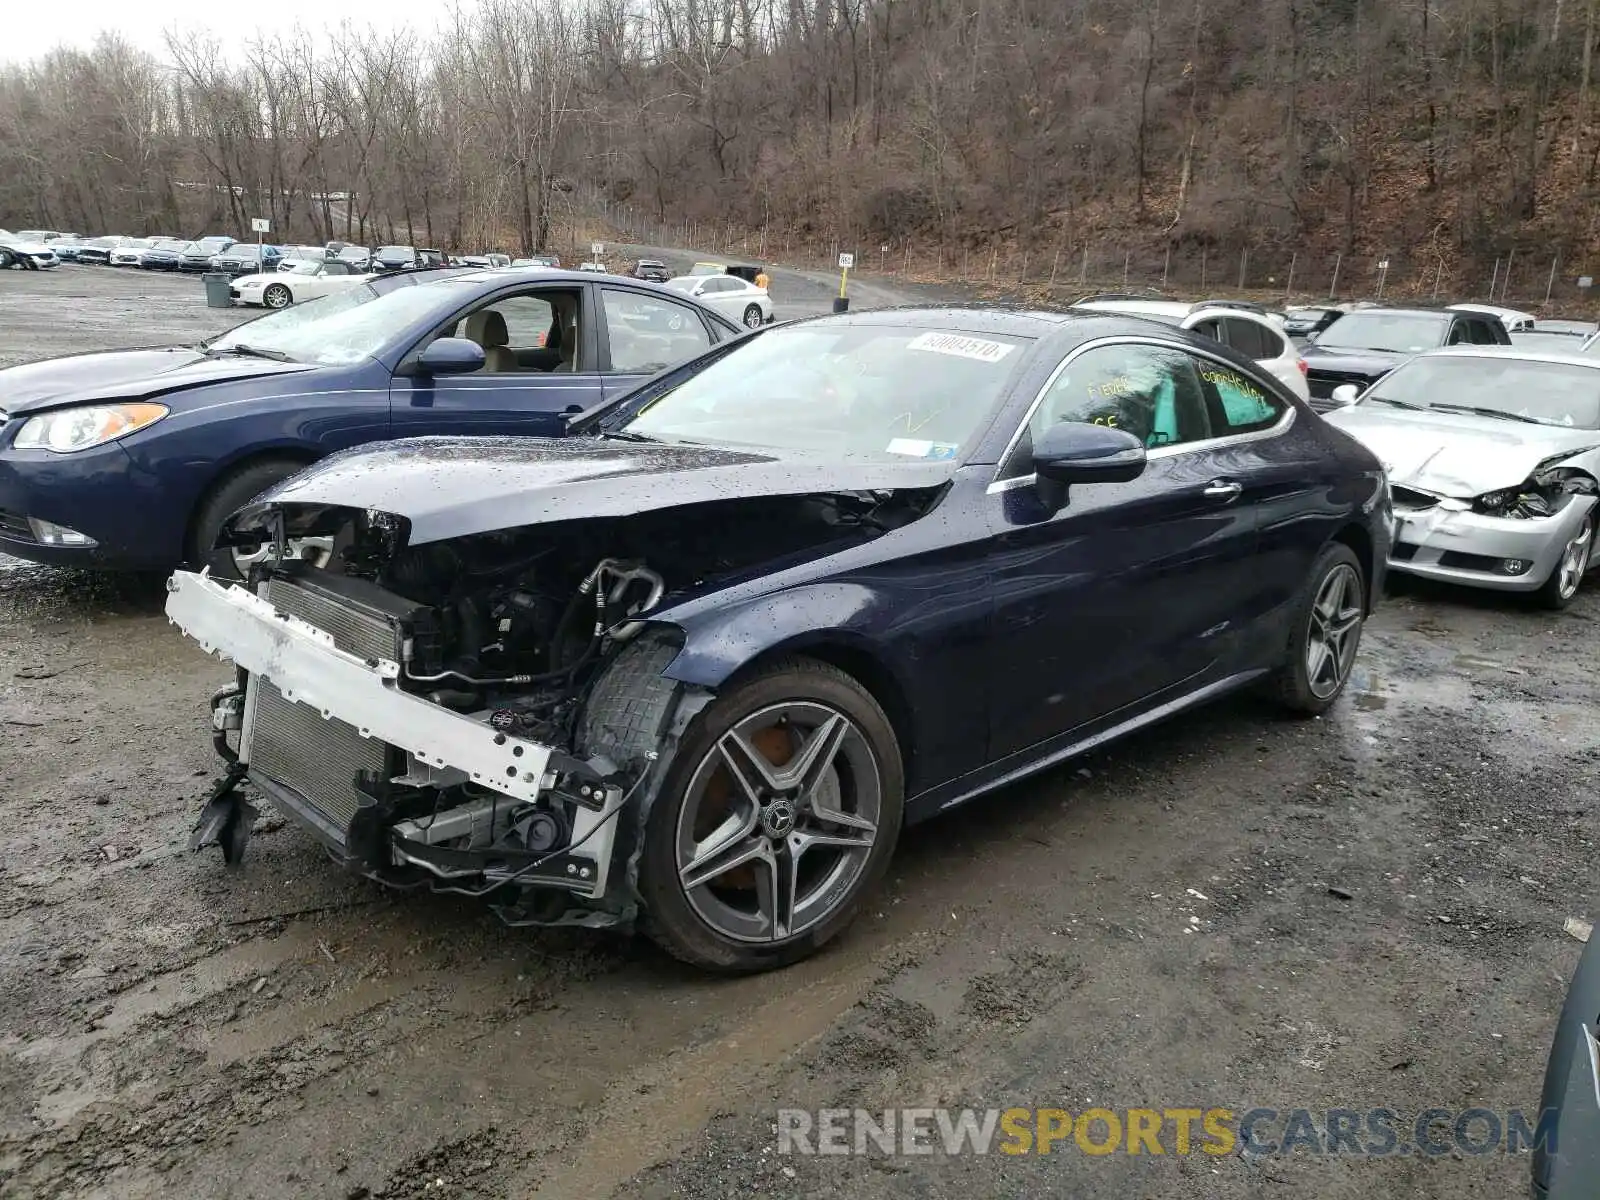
(844, 390)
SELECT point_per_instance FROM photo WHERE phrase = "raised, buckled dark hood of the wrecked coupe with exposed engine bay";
(458, 487)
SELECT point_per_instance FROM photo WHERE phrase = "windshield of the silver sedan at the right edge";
(1553, 394)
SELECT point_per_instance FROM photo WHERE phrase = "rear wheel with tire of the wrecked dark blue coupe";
(1327, 634)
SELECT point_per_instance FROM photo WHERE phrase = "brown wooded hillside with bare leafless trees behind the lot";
(1438, 130)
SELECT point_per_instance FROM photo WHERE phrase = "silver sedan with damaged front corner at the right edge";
(1494, 458)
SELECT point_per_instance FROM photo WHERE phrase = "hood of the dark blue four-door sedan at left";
(124, 375)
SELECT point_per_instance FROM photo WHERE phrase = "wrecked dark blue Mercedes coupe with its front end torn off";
(700, 660)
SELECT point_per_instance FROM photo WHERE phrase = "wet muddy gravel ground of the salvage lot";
(1150, 927)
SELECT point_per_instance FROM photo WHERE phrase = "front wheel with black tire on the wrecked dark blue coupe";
(778, 814)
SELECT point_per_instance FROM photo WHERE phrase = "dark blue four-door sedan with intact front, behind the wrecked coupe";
(134, 458)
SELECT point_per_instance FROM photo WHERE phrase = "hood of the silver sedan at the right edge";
(1457, 455)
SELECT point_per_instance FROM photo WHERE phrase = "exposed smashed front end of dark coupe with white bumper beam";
(430, 711)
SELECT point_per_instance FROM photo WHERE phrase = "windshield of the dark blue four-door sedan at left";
(337, 330)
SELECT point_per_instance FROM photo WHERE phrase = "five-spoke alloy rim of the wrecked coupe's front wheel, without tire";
(780, 822)
